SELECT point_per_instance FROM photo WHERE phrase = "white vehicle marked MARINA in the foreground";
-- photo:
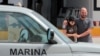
(24, 32)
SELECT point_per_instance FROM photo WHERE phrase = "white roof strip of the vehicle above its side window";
(14, 8)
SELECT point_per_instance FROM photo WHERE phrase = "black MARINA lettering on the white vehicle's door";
(27, 51)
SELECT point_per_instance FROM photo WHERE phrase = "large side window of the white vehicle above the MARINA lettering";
(22, 29)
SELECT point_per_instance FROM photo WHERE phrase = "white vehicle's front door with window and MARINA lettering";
(27, 37)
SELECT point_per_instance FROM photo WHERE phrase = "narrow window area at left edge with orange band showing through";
(3, 27)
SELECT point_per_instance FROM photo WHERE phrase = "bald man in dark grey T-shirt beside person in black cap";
(84, 26)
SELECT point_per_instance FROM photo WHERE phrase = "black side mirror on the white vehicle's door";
(50, 37)
